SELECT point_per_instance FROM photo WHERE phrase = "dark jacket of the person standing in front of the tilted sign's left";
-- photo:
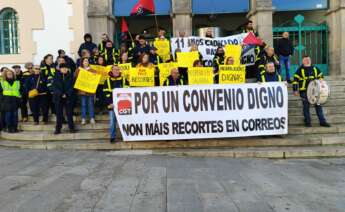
(63, 84)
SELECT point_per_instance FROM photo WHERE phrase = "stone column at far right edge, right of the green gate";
(336, 24)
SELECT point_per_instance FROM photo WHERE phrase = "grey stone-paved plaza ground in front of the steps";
(78, 181)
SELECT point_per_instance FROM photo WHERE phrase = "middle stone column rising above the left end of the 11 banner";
(182, 16)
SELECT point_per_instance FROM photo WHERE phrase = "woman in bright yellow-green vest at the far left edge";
(10, 94)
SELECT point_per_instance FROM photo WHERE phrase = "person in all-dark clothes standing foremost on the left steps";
(63, 98)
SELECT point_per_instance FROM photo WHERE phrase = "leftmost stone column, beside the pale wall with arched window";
(101, 19)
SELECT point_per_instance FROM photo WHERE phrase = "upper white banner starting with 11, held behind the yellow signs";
(208, 46)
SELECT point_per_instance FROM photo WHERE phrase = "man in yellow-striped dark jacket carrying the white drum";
(303, 76)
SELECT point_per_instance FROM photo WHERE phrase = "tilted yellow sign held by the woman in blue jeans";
(87, 81)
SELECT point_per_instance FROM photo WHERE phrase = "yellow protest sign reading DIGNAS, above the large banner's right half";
(232, 74)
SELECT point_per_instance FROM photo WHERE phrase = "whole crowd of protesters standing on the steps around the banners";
(48, 88)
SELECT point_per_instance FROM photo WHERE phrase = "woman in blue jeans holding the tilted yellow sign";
(87, 99)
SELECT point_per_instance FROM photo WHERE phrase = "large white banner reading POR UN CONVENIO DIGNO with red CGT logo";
(197, 112)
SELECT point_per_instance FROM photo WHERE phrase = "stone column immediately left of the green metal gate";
(261, 13)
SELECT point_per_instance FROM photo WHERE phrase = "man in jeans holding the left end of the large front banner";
(114, 81)
